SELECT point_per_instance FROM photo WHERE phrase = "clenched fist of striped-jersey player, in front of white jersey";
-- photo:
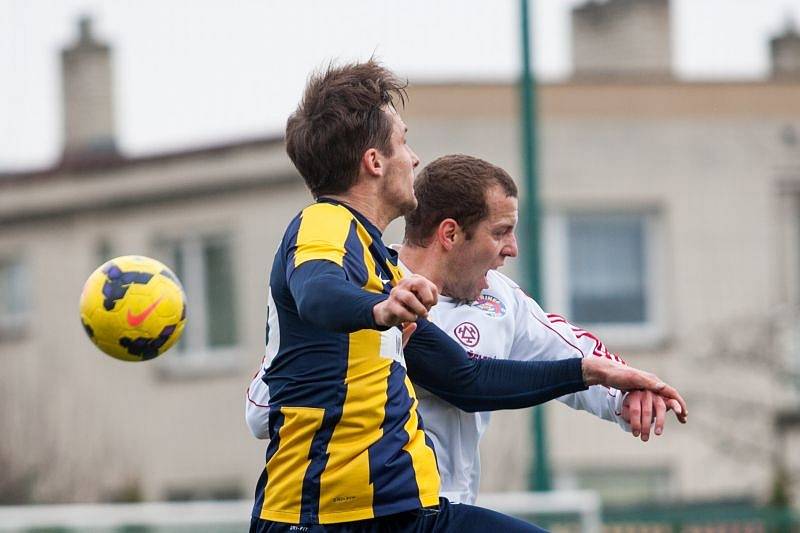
(409, 300)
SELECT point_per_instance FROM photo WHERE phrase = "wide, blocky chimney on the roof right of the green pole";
(629, 38)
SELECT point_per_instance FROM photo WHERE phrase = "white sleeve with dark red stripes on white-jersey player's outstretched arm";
(539, 336)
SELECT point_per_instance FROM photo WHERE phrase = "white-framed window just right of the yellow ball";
(205, 267)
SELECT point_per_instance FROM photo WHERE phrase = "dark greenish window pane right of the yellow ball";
(220, 308)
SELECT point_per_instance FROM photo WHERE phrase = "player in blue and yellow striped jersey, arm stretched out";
(347, 450)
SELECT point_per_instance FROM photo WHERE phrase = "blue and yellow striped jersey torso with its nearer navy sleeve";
(346, 440)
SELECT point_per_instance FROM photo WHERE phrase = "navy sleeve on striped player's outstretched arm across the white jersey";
(440, 365)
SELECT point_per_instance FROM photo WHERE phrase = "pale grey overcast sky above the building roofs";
(190, 72)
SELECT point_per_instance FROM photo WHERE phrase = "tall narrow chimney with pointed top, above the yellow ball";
(87, 97)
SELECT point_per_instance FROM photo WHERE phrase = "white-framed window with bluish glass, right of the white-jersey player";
(603, 272)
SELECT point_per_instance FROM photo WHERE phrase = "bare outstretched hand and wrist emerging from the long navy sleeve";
(602, 371)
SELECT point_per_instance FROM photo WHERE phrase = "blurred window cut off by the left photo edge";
(15, 296)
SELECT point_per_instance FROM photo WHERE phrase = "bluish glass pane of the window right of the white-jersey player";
(607, 268)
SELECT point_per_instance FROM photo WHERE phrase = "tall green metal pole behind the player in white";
(540, 469)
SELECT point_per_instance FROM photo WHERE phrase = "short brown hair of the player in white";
(453, 186)
